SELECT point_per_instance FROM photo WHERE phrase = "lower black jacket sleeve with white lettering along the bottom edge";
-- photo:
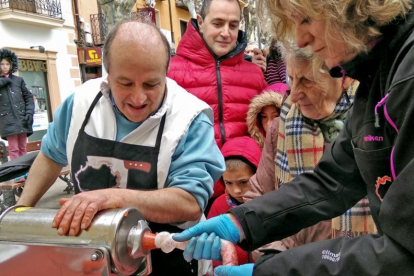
(364, 255)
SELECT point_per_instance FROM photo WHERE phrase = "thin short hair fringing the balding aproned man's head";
(112, 34)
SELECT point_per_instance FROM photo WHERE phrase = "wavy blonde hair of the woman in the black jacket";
(356, 21)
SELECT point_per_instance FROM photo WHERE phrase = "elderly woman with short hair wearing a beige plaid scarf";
(311, 119)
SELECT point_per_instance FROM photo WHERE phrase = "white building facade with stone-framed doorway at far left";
(41, 33)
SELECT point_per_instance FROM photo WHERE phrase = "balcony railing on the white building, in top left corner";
(51, 8)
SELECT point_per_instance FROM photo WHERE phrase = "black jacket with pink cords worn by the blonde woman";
(364, 159)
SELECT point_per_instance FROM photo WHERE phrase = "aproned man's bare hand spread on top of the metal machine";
(78, 211)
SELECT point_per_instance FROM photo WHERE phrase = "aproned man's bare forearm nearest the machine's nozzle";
(168, 205)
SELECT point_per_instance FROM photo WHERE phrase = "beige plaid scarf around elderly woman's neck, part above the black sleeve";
(301, 141)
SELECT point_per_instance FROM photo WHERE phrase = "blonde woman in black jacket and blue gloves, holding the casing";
(372, 41)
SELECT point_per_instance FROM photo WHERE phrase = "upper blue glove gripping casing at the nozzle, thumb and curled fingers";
(205, 238)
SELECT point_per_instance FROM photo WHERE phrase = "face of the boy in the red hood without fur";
(237, 182)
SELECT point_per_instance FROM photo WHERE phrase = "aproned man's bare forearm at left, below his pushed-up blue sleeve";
(42, 175)
